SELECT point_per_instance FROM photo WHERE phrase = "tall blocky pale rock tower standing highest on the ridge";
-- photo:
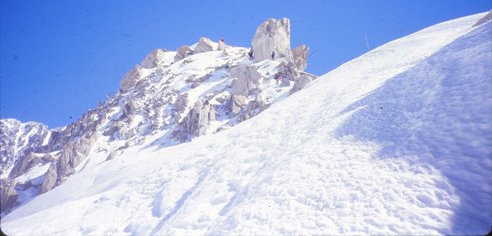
(272, 37)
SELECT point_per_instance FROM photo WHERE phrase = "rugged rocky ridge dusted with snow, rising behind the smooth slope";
(171, 97)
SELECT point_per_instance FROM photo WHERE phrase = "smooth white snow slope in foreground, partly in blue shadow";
(397, 141)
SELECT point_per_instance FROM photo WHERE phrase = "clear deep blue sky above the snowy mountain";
(60, 58)
